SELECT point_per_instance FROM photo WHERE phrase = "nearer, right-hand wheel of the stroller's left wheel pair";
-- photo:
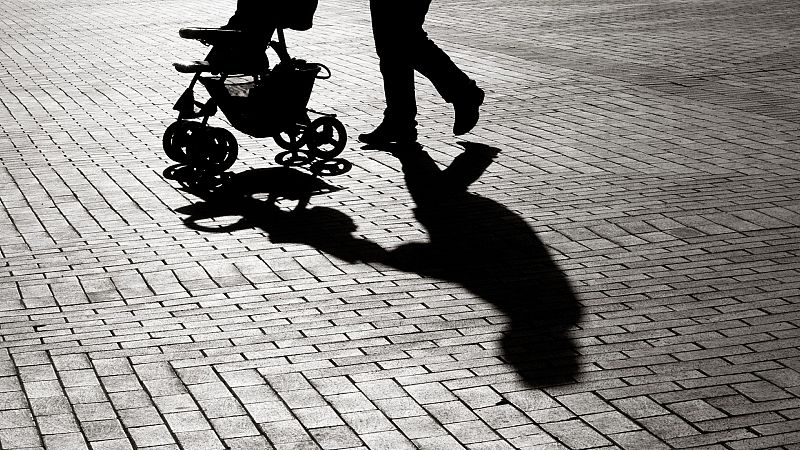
(213, 150)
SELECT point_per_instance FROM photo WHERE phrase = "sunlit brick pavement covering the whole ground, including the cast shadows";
(623, 275)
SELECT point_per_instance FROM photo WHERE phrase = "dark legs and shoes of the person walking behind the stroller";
(403, 47)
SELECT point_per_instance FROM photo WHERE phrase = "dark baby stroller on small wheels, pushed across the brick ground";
(258, 100)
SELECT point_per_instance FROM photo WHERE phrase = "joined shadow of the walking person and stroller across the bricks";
(474, 241)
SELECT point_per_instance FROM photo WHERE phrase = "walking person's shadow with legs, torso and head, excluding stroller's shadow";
(491, 251)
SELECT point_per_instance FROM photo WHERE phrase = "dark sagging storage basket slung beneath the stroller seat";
(265, 105)
